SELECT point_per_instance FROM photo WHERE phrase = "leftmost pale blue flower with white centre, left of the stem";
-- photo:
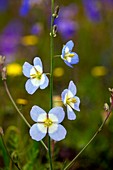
(36, 76)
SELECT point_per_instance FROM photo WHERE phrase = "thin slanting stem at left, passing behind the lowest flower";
(14, 104)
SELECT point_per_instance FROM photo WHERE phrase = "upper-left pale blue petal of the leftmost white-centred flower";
(26, 69)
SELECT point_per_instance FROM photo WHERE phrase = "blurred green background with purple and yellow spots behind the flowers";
(24, 34)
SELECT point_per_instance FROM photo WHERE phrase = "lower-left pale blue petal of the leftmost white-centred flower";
(30, 88)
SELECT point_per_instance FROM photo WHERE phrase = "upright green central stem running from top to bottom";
(51, 76)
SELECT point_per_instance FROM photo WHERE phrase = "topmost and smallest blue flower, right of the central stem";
(68, 56)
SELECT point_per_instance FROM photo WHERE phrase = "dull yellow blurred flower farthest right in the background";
(99, 71)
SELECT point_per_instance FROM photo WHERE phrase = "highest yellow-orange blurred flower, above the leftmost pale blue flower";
(29, 40)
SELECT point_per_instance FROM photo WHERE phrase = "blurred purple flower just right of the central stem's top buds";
(67, 26)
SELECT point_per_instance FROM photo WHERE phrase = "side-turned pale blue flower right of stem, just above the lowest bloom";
(70, 100)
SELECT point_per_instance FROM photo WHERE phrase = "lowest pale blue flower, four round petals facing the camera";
(47, 123)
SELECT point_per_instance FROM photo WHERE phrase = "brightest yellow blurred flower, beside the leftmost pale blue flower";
(14, 69)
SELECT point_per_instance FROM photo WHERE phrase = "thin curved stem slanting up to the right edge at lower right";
(96, 133)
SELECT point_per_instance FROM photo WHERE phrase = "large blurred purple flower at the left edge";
(10, 38)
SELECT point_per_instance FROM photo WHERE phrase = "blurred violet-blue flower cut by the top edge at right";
(92, 9)
